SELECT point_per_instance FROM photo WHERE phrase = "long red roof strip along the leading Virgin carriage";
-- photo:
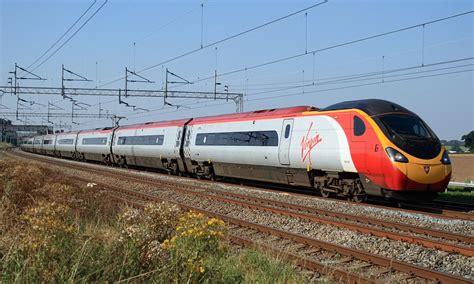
(258, 114)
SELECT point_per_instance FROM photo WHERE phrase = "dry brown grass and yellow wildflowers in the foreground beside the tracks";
(53, 229)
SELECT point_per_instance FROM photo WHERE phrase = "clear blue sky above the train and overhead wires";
(427, 69)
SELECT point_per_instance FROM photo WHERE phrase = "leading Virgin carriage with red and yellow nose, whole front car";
(351, 149)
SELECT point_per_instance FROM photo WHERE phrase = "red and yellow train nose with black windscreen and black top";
(395, 153)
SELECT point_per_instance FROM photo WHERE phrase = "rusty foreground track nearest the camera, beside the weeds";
(361, 267)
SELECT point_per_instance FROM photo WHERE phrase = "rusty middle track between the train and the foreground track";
(359, 224)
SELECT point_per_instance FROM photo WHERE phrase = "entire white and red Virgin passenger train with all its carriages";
(353, 149)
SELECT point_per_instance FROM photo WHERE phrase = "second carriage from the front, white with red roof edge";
(154, 145)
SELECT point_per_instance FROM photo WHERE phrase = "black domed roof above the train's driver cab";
(372, 107)
